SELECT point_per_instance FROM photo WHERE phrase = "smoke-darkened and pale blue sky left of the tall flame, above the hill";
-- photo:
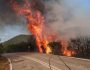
(10, 24)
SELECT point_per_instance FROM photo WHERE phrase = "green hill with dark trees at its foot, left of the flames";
(21, 43)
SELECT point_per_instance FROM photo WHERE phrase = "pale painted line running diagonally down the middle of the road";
(41, 62)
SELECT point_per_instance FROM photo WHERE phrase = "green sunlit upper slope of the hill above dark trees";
(18, 39)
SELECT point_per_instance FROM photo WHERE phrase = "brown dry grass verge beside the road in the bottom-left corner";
(4, 64)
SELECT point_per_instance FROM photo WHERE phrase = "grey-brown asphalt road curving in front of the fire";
(35, 61)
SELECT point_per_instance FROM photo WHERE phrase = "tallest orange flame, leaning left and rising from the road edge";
(35, 22)
